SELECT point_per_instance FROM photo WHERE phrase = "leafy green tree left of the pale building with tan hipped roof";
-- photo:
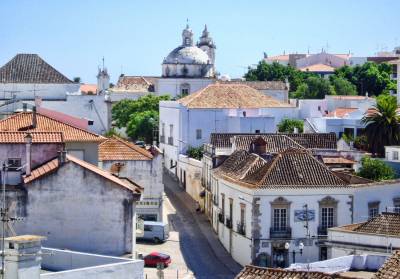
(139, 116)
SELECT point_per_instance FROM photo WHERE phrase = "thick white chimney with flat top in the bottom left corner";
(23, 257)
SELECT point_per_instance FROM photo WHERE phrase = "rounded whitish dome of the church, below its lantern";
(187, 55)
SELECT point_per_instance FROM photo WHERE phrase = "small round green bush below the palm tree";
(375, 169)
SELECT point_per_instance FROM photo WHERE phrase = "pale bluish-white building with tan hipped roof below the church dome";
(217, 108)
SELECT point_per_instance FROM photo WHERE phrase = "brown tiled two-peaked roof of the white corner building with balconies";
(290, 168)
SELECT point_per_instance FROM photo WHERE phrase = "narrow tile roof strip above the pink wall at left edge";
(37, 137)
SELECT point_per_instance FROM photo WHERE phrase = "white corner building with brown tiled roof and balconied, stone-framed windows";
(260, 203)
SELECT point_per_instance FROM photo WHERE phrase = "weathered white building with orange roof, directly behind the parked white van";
(125, 159)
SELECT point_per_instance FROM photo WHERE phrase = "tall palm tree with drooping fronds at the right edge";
(382, 124)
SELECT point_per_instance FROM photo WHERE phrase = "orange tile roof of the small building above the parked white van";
(117, 149)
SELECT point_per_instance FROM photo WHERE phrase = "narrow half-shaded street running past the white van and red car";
(193, 246)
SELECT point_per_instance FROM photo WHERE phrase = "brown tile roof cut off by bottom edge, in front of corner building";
(256, 272)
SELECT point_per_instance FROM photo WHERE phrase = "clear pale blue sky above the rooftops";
(135, 36)
